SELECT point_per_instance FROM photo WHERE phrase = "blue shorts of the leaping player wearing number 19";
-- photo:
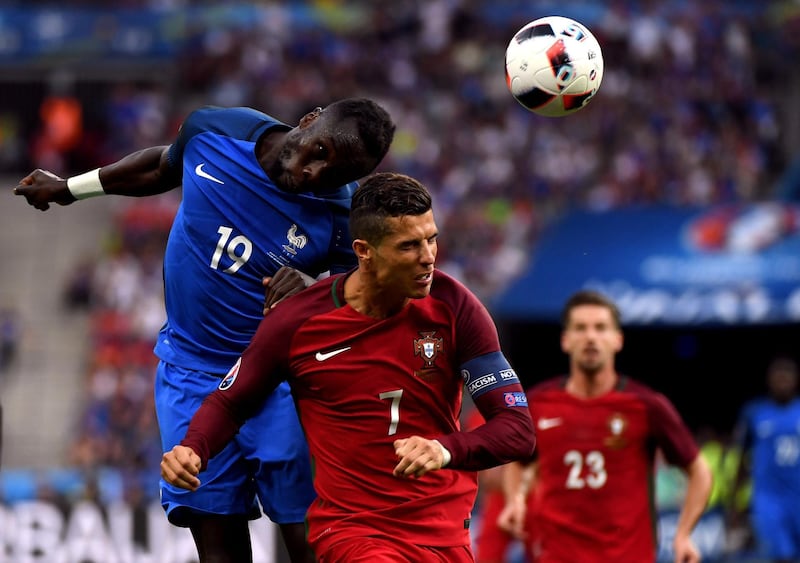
(267, 459)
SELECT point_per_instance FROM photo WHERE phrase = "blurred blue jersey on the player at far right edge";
(772, 434)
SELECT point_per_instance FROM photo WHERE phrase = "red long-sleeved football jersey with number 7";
(361, 383)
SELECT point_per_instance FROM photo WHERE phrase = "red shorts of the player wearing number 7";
(388, 550)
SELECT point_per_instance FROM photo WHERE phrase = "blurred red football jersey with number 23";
(595, 479)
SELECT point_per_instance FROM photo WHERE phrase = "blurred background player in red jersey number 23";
(597, 435)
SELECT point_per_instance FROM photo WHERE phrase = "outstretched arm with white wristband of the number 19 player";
(142, 173)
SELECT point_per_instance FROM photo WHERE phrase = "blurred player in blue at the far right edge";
(768, 432)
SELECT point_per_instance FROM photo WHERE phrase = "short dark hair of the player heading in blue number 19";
(375, 125)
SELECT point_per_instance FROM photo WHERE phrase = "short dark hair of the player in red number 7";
(383, 195)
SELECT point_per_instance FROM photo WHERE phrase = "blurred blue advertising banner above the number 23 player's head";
(732, 264)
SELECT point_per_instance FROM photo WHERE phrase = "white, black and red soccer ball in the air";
(554, 66)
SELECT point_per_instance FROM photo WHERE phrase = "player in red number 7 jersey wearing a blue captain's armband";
(377, 360)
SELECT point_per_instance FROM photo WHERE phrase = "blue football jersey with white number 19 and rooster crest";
(233, 227)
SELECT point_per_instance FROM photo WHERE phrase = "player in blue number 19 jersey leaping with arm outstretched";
(259, 197)
